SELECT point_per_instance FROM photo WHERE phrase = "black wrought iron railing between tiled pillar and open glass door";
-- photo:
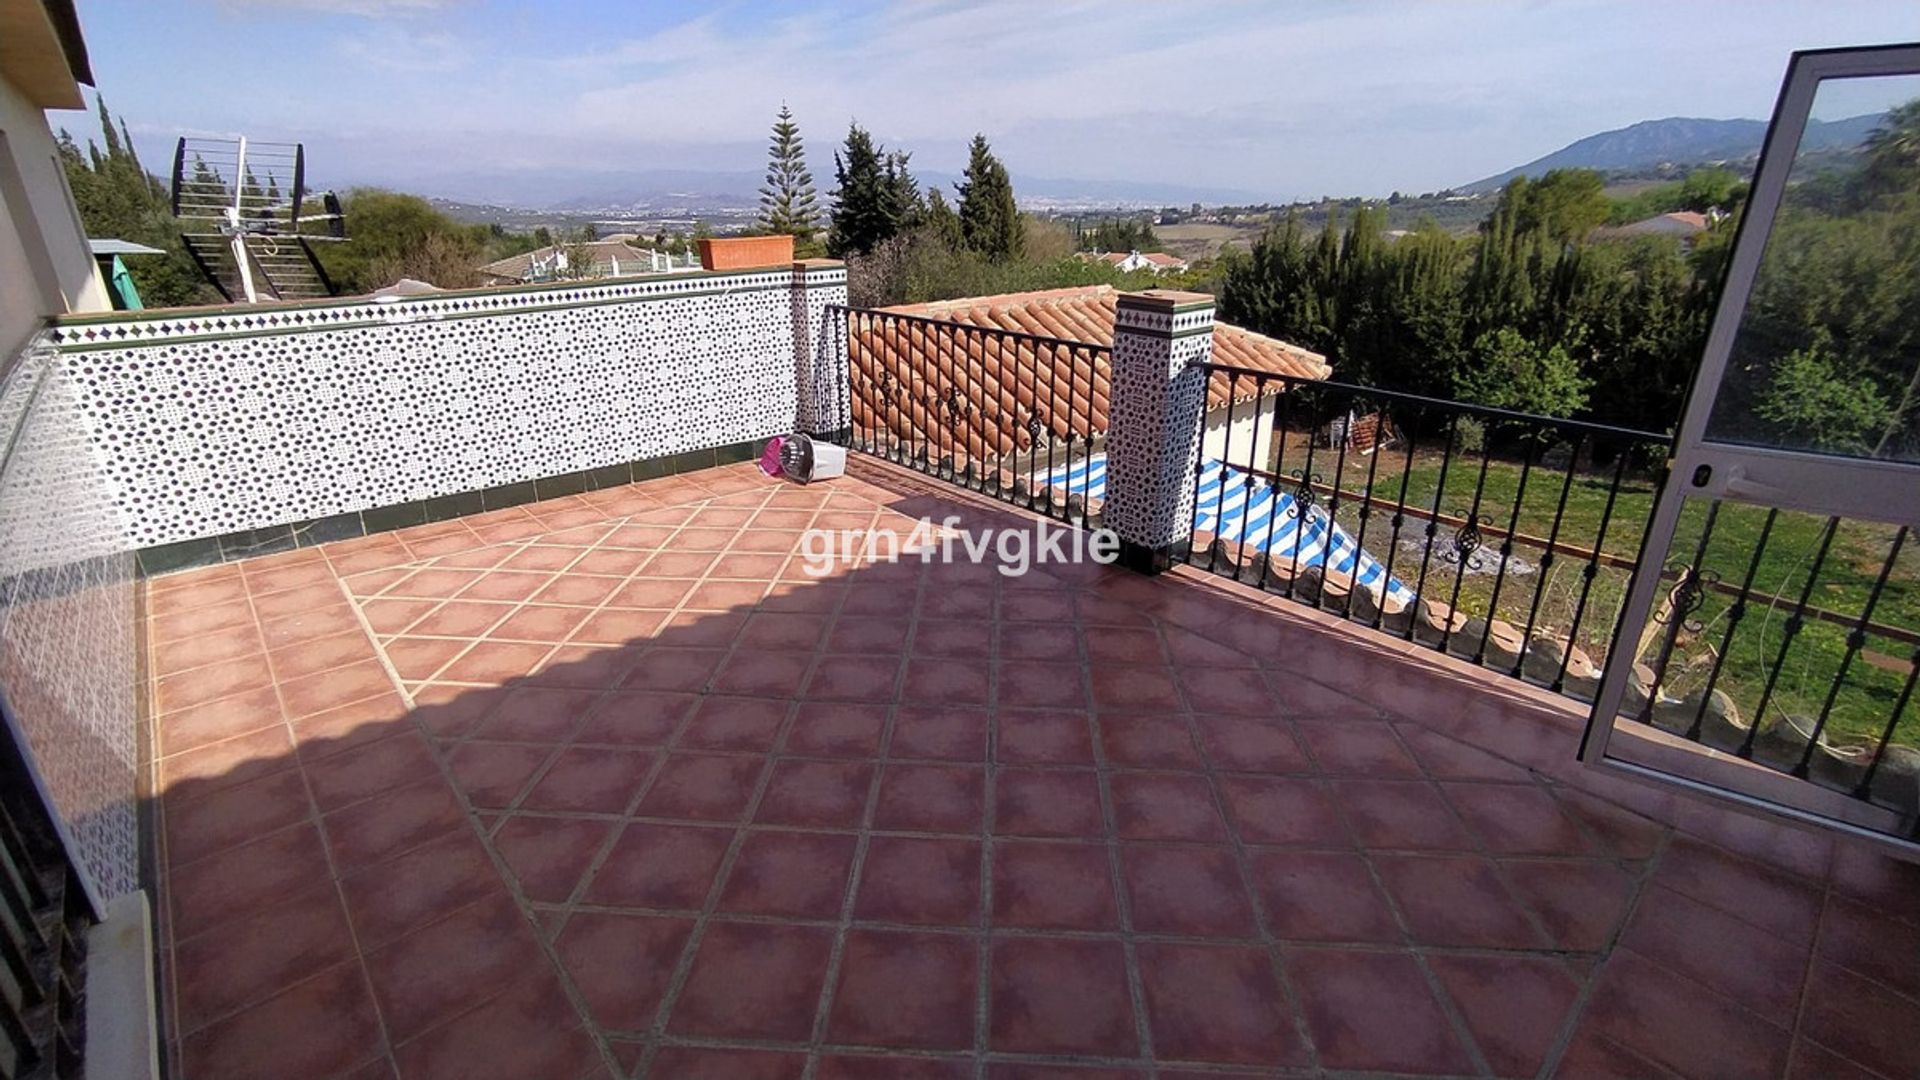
(1499, 537)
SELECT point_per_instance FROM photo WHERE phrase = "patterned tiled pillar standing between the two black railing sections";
(1155, 422)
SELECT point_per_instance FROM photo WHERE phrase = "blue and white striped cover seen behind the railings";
(1268, 518)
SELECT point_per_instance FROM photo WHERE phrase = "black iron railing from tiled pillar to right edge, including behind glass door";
(1510, 541)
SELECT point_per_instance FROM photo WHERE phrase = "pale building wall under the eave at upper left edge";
(43, 247)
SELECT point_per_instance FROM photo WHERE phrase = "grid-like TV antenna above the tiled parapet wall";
(239, 207)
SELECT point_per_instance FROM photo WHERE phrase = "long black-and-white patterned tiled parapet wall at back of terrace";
(254, 418)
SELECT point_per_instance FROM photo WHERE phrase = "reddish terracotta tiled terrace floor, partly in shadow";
(610, 789)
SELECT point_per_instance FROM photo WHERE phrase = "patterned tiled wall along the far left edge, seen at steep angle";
(68, 656)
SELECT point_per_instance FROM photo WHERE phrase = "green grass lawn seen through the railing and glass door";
(1499, 499)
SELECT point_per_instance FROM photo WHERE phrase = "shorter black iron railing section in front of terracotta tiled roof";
(1001, 412)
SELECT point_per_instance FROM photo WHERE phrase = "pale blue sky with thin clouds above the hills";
(1278, 101)
